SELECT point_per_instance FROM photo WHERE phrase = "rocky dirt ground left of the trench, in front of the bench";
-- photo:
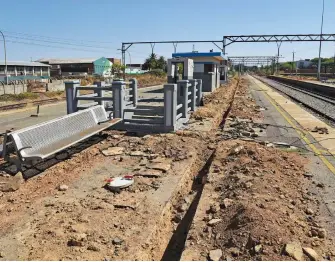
(54, 214)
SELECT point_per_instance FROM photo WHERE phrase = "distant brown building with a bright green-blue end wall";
(79, 66)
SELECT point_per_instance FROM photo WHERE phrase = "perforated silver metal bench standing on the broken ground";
(43, 140)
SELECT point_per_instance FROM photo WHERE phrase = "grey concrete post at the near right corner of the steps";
(170, 106)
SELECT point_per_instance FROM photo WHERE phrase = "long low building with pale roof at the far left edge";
(24, 70)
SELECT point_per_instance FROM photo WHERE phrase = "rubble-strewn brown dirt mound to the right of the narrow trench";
(257, 203)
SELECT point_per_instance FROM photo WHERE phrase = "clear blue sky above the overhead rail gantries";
(89, 25)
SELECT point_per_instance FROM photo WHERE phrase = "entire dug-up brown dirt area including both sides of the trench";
(208, 192)
